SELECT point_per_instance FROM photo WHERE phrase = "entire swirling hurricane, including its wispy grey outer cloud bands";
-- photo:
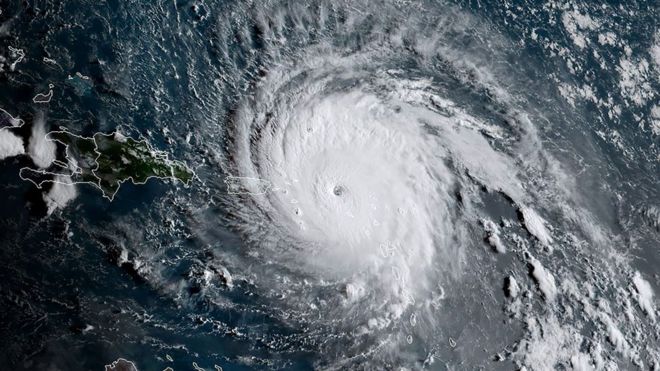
(376, 150)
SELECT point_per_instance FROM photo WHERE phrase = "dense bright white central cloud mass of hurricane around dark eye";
(366, 172)
